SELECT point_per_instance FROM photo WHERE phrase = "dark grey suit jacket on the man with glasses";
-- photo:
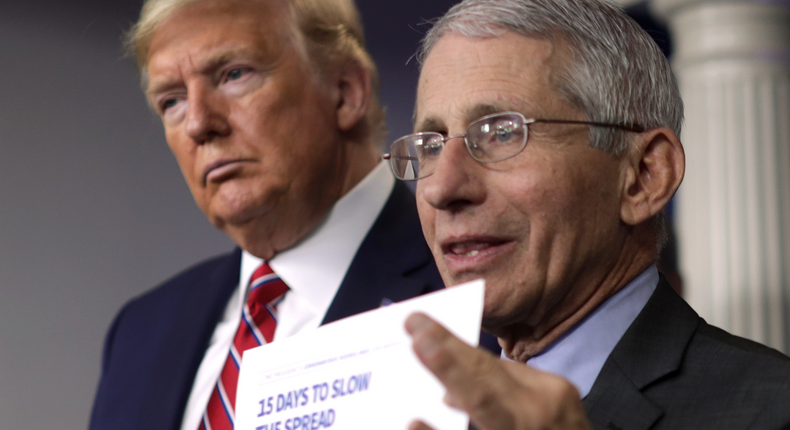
(672, 370)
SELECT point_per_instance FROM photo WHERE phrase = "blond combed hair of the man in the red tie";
(327, 33)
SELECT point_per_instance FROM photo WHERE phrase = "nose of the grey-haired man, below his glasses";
(456, 183)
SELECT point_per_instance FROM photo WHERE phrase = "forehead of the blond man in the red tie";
(207, 29)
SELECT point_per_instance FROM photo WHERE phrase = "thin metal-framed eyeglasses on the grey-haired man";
(489, 139)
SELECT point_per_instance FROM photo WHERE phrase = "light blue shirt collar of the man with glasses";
(580, 353)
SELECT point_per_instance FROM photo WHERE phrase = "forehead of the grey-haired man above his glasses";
(463, 78)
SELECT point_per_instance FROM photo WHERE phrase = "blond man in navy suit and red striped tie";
(271, 111)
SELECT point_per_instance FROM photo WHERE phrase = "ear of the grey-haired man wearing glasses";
(652, 170)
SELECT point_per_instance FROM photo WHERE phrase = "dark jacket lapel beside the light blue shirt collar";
(651, 349)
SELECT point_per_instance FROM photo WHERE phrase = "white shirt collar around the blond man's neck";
(316, 266)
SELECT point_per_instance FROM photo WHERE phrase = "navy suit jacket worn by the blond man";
(157, 341)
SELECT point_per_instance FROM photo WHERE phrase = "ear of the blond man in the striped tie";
(354, 94)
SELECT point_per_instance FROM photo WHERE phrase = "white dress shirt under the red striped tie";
(313, 270)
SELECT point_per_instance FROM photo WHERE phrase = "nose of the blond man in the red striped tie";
(207, 115)
